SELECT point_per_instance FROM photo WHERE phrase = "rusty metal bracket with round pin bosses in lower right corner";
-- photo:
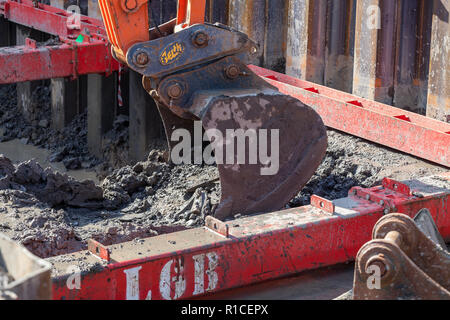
(401, 262)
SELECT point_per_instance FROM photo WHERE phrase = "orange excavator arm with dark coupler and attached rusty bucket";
(266, 145)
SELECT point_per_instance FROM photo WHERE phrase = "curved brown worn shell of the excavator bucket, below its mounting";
(286, 139)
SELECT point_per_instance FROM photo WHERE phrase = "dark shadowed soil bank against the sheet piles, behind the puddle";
(69, 145)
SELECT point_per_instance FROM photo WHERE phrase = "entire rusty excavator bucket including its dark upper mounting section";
(266, 145)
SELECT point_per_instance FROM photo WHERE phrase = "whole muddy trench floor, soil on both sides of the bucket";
(54, 195)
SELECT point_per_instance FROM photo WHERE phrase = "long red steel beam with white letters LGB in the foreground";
(204, 260)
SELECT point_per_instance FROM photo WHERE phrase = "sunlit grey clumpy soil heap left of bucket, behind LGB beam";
(52, 214)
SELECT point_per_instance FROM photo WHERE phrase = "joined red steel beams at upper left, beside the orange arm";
(67, 59)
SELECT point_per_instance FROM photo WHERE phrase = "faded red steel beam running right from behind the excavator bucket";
(396, 128)
